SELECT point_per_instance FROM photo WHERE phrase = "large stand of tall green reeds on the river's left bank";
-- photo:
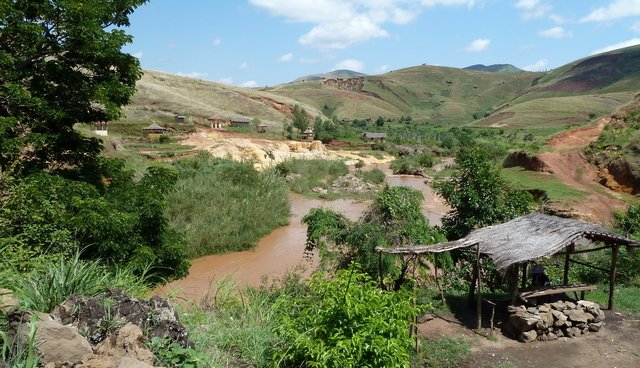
(223, 205)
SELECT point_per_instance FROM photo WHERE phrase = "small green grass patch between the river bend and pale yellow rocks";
(304, 175)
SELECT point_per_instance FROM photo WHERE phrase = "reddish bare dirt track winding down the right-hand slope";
(567, 162)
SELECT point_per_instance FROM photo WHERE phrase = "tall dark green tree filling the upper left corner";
(60, 64)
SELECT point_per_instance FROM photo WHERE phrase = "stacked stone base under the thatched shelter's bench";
(551, 321)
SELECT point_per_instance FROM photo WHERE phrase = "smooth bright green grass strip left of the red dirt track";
(556, 190)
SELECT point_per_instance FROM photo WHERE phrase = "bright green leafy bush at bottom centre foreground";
(345, 322)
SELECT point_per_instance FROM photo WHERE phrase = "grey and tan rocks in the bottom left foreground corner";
(107, 331)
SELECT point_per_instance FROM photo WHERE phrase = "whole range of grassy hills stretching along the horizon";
(573, 94)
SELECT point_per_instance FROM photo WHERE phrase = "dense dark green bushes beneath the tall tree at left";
(108, 214)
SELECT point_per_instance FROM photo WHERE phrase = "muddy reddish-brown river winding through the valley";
(283, 248)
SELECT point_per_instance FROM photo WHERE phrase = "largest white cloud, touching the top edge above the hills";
(337, 24)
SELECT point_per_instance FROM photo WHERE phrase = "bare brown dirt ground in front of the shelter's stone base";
(617, 344)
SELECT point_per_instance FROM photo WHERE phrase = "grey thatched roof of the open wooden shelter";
(524, 239)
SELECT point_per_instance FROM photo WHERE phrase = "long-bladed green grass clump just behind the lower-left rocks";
(51, 282)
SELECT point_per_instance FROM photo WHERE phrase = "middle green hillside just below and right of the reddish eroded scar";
(439, 94)
